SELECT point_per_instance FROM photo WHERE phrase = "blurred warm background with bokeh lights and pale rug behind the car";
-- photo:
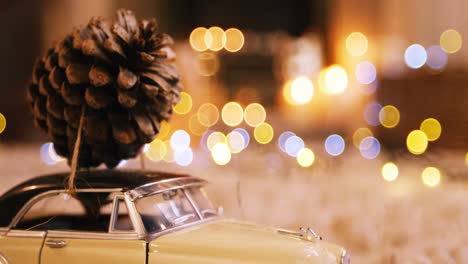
(348, 116)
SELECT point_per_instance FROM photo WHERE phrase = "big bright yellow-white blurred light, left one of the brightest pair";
(298, 91)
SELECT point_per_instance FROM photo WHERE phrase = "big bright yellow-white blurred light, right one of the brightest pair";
(334, 79)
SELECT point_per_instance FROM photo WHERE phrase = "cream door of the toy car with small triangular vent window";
(119, 244)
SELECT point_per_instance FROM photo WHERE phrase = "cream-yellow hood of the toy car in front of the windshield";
(225, 241)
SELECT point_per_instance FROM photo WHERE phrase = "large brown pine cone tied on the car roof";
(121, 74)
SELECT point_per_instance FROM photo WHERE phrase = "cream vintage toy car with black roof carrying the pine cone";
(126, 217)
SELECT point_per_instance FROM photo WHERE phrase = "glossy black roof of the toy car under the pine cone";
(14, 199)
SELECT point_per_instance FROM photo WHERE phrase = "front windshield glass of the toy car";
(166, 210)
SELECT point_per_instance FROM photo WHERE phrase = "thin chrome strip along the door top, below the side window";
(53, 234)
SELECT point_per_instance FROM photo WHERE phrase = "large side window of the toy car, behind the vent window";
(61, 211)
